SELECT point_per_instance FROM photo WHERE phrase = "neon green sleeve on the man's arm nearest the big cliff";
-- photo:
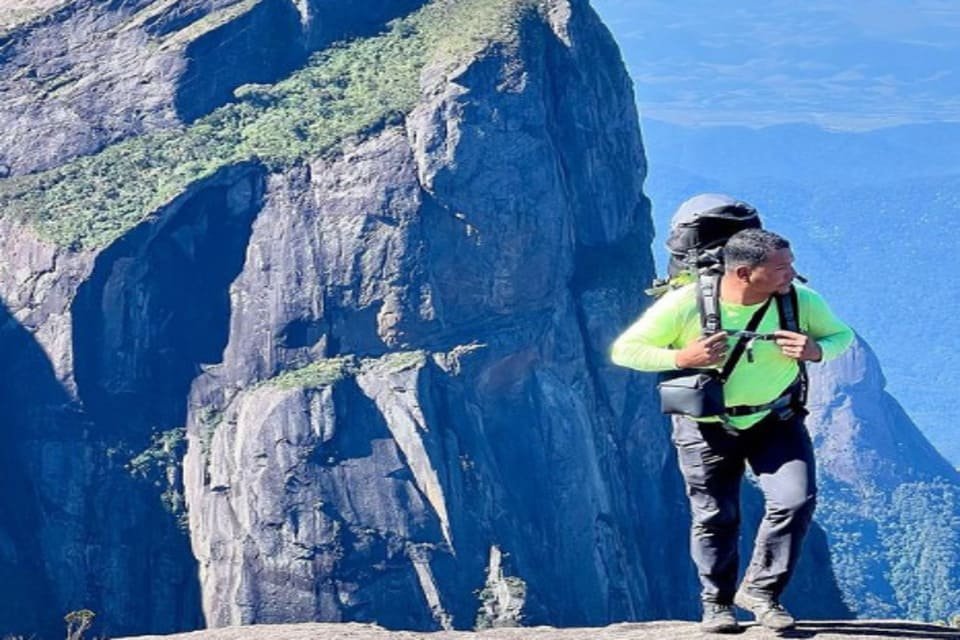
(646, 344)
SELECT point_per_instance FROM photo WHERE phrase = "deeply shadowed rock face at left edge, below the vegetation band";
(100, 349)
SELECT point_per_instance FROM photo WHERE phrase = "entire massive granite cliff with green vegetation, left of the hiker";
(377, 294)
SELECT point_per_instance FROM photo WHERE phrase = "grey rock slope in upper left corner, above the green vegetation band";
(86, 74)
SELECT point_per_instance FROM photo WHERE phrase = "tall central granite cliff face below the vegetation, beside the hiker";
(446, 271)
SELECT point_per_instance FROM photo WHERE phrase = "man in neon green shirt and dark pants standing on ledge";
(760, 421)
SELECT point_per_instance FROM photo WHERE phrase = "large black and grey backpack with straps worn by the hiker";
(699, 229)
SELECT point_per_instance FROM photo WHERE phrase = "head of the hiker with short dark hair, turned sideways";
(760, 260)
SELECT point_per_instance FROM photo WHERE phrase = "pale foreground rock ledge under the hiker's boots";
(668, 630)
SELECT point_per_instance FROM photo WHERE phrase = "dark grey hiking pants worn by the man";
(712, 464)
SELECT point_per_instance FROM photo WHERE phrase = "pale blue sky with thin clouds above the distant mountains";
(853, 66)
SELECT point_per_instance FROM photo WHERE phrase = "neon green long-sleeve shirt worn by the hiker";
(652, 342)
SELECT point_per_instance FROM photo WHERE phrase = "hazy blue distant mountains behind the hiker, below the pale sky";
(871, 215)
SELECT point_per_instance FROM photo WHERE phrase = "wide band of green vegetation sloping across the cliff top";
(347, 90)
